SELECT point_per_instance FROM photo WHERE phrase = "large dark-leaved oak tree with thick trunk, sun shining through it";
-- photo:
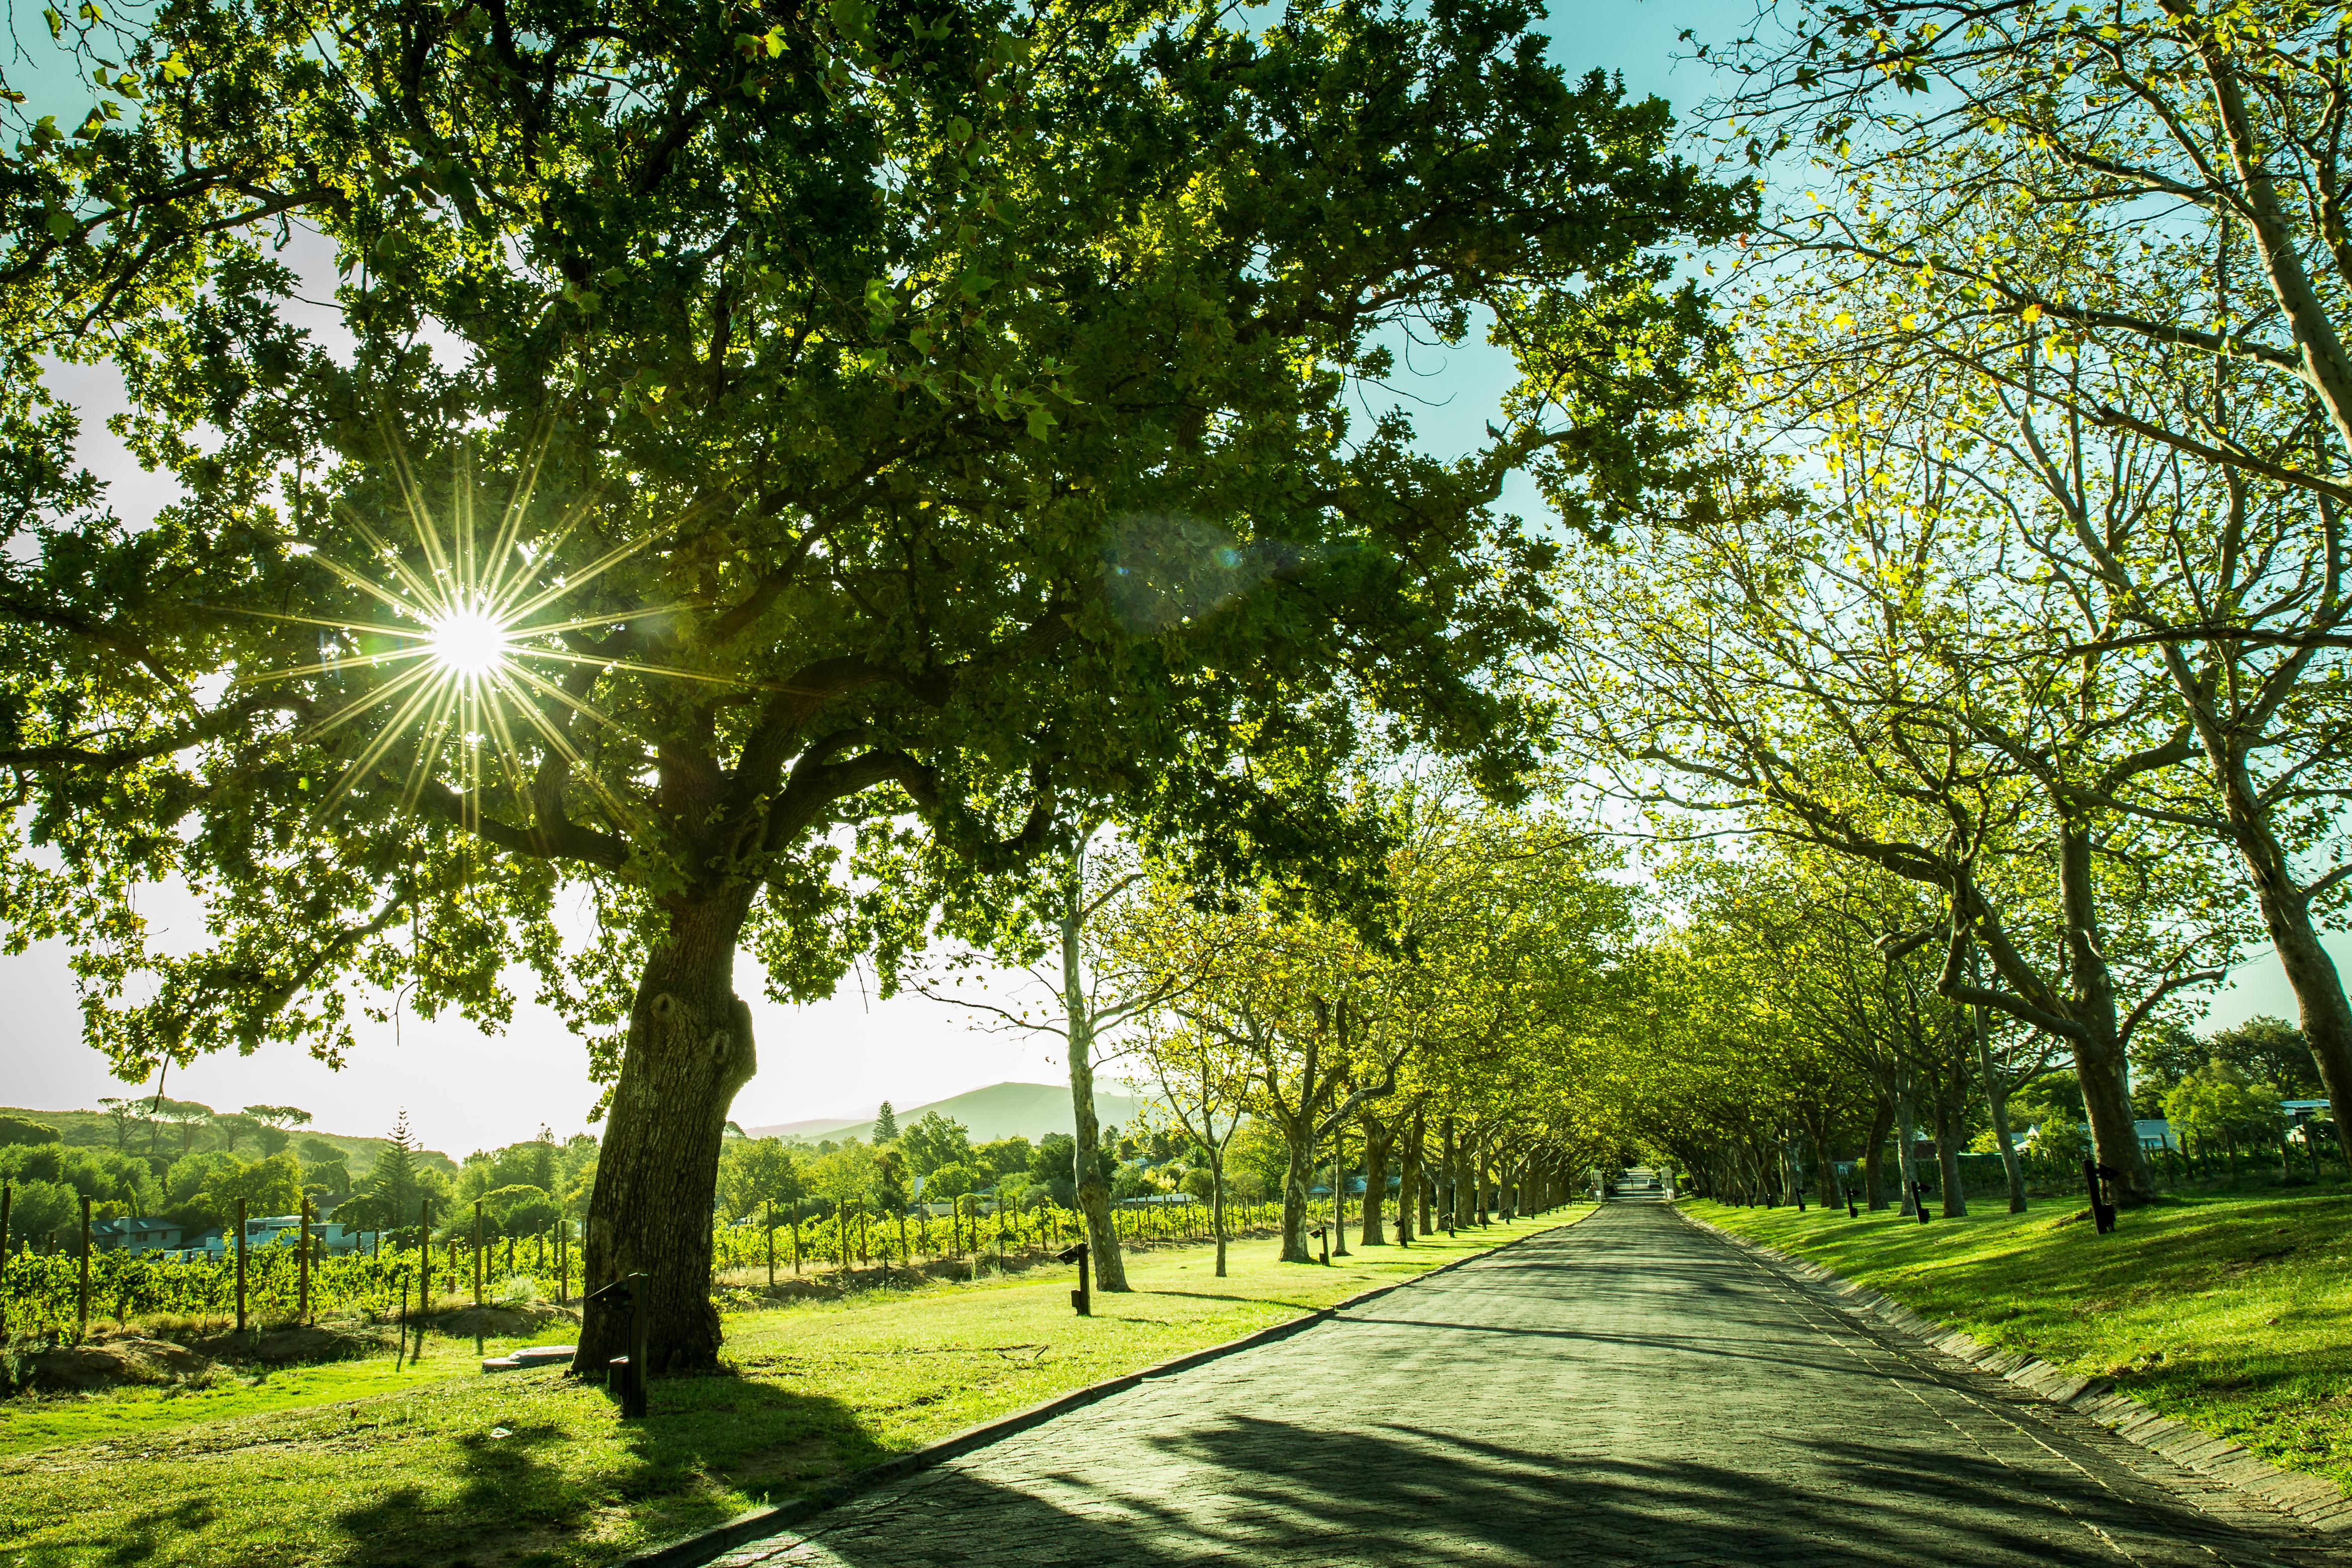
(935, 417)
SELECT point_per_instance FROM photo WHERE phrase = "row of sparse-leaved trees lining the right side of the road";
(2012, 643)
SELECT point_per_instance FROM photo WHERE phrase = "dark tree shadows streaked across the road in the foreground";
(1267, 1492)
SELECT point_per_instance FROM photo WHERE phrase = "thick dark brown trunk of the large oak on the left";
(688, 1054)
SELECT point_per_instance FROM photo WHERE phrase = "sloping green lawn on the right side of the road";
(2231, 1313)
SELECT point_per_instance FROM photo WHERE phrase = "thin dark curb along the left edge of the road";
(744, 1529)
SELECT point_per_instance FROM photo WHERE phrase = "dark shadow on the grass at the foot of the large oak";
(530, 1494)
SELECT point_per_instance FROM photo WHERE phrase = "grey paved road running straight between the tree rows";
(1629, 1391)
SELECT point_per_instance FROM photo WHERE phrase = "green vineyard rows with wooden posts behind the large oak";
(44, 1294)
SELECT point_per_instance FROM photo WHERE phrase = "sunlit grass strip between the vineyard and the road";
(443, 1466)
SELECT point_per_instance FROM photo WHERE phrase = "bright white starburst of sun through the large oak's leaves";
(469, 619)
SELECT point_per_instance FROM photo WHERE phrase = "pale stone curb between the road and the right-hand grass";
(2308, 1499)
